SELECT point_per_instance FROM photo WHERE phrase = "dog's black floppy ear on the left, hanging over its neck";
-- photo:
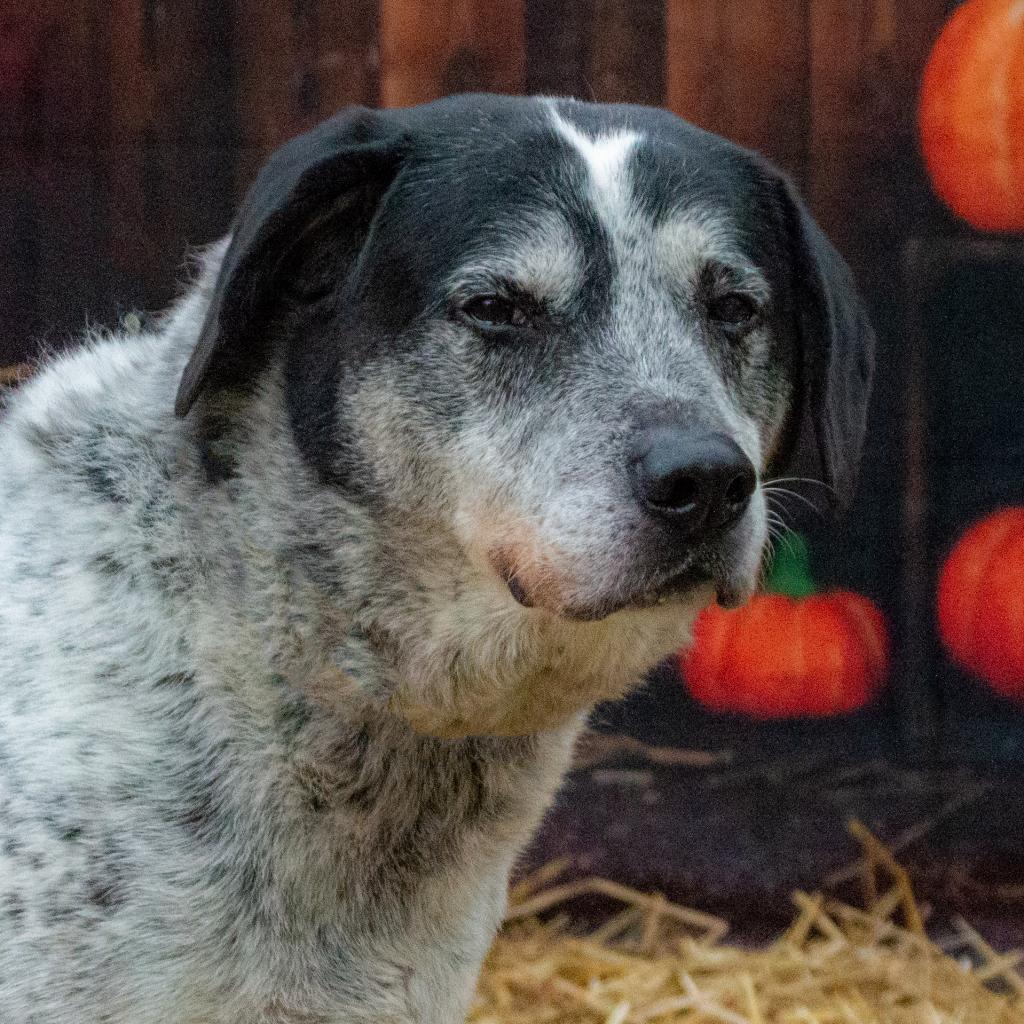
(356, 154)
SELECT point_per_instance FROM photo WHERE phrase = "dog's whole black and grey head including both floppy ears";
(580, 337)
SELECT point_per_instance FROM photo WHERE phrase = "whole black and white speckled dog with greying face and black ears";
(312, 584)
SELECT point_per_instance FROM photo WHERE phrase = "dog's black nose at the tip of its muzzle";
(700, 481)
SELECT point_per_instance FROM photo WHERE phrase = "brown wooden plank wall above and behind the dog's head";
(129, 129)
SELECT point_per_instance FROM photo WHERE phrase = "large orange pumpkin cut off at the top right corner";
(972, 114)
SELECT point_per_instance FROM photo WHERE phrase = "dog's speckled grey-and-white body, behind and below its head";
(191, 831)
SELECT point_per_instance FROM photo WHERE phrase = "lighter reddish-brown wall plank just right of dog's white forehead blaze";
(741, 68)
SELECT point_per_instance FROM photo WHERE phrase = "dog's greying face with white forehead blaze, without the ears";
(588, 359)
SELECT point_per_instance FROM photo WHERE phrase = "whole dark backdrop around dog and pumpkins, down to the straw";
(131, 129)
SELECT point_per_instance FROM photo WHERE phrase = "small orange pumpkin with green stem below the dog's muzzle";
(791, 655)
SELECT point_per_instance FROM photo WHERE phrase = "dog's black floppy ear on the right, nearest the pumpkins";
(837, 362)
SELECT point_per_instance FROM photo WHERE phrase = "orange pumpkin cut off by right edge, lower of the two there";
(982, 602)
